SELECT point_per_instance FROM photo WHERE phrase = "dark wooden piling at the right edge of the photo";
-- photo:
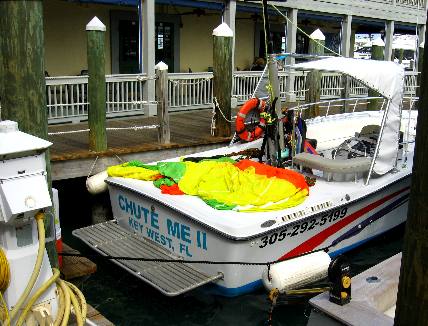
(412, 297)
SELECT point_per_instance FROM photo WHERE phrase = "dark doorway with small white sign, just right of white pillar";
(164, 44)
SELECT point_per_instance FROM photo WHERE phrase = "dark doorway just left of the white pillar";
(128, 47)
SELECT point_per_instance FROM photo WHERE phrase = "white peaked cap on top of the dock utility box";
(14, 143)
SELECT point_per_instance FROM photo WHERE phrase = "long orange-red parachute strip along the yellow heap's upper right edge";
(297, 179)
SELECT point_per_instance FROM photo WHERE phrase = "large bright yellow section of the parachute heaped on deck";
(228, 184)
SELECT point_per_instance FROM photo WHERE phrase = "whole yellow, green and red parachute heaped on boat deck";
(243, 186)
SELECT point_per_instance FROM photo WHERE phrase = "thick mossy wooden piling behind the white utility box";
(22, 75)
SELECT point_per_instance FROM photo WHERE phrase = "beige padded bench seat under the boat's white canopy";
(355, 166)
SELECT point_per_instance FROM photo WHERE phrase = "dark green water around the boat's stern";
(126, 300)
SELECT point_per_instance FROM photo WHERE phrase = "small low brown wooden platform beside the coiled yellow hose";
(73, 267)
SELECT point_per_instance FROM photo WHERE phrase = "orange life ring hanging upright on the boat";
(242, 130)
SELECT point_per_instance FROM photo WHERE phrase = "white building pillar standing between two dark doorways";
(148, 62)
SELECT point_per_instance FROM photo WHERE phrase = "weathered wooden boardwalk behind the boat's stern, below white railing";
(71, 158)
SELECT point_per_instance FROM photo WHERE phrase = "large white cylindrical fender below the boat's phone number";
(294, 273)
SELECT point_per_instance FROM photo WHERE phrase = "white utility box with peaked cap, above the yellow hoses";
(23, 186)
